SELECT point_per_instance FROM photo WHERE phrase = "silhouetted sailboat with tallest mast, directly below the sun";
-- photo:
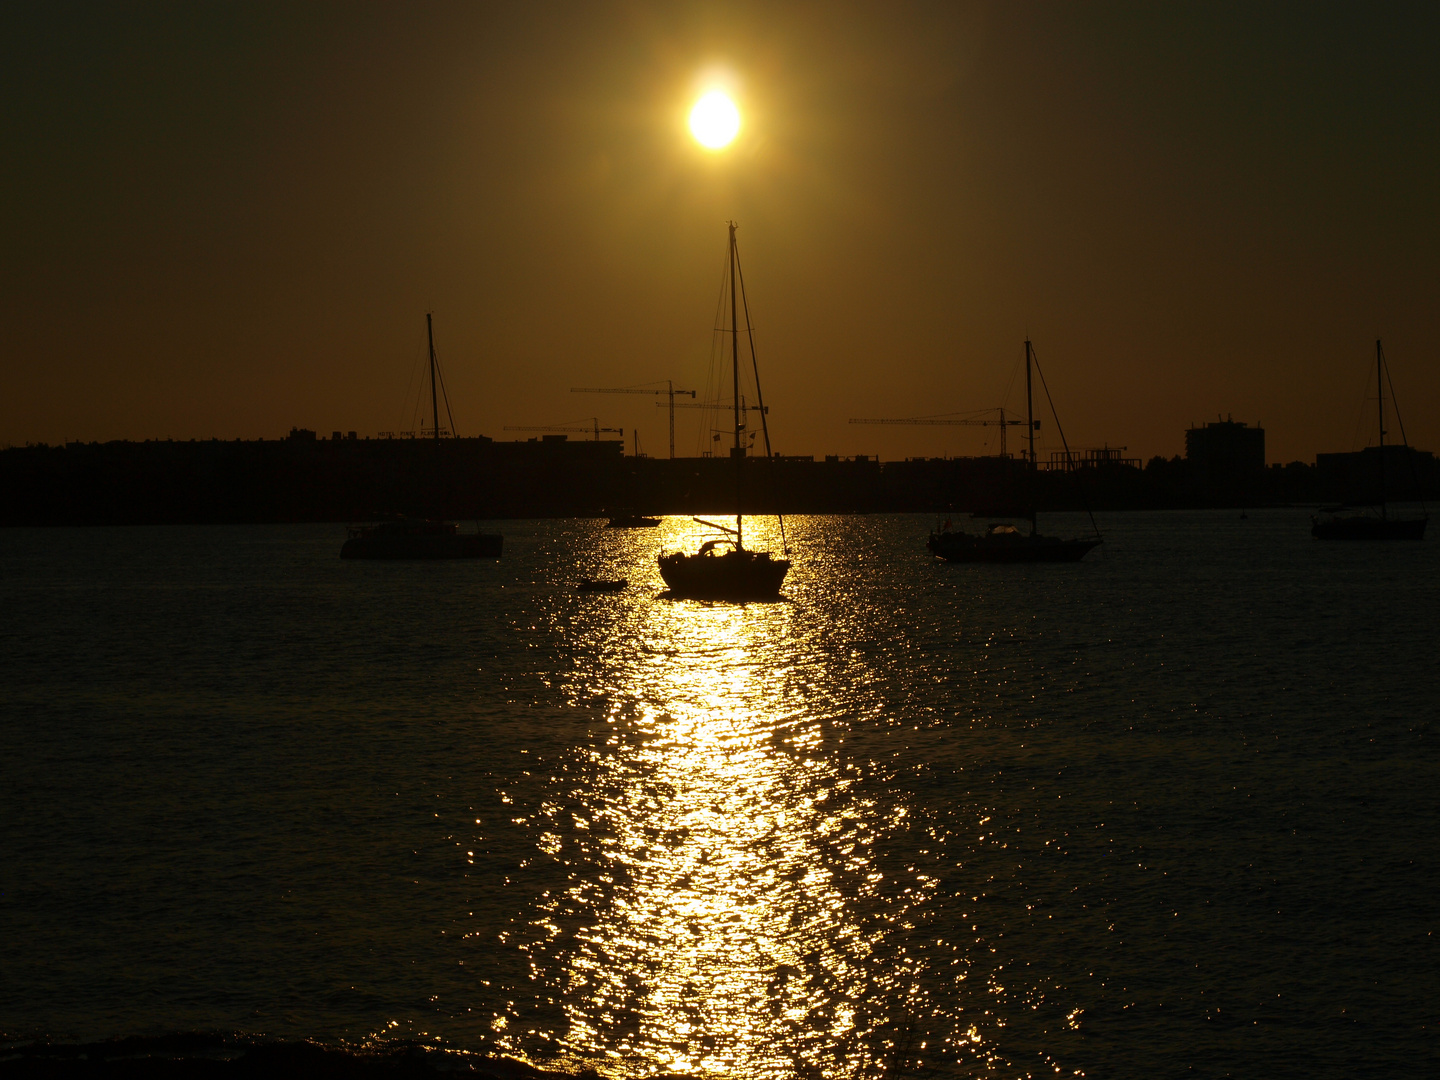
(726, 570)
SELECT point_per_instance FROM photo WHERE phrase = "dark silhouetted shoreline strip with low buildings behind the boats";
(359, 480)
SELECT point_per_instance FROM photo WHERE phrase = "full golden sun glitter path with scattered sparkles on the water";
(737, 862)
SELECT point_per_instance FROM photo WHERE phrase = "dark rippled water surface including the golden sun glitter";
(1171, 811)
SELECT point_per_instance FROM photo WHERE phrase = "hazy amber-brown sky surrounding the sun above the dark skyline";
(230, 220)
